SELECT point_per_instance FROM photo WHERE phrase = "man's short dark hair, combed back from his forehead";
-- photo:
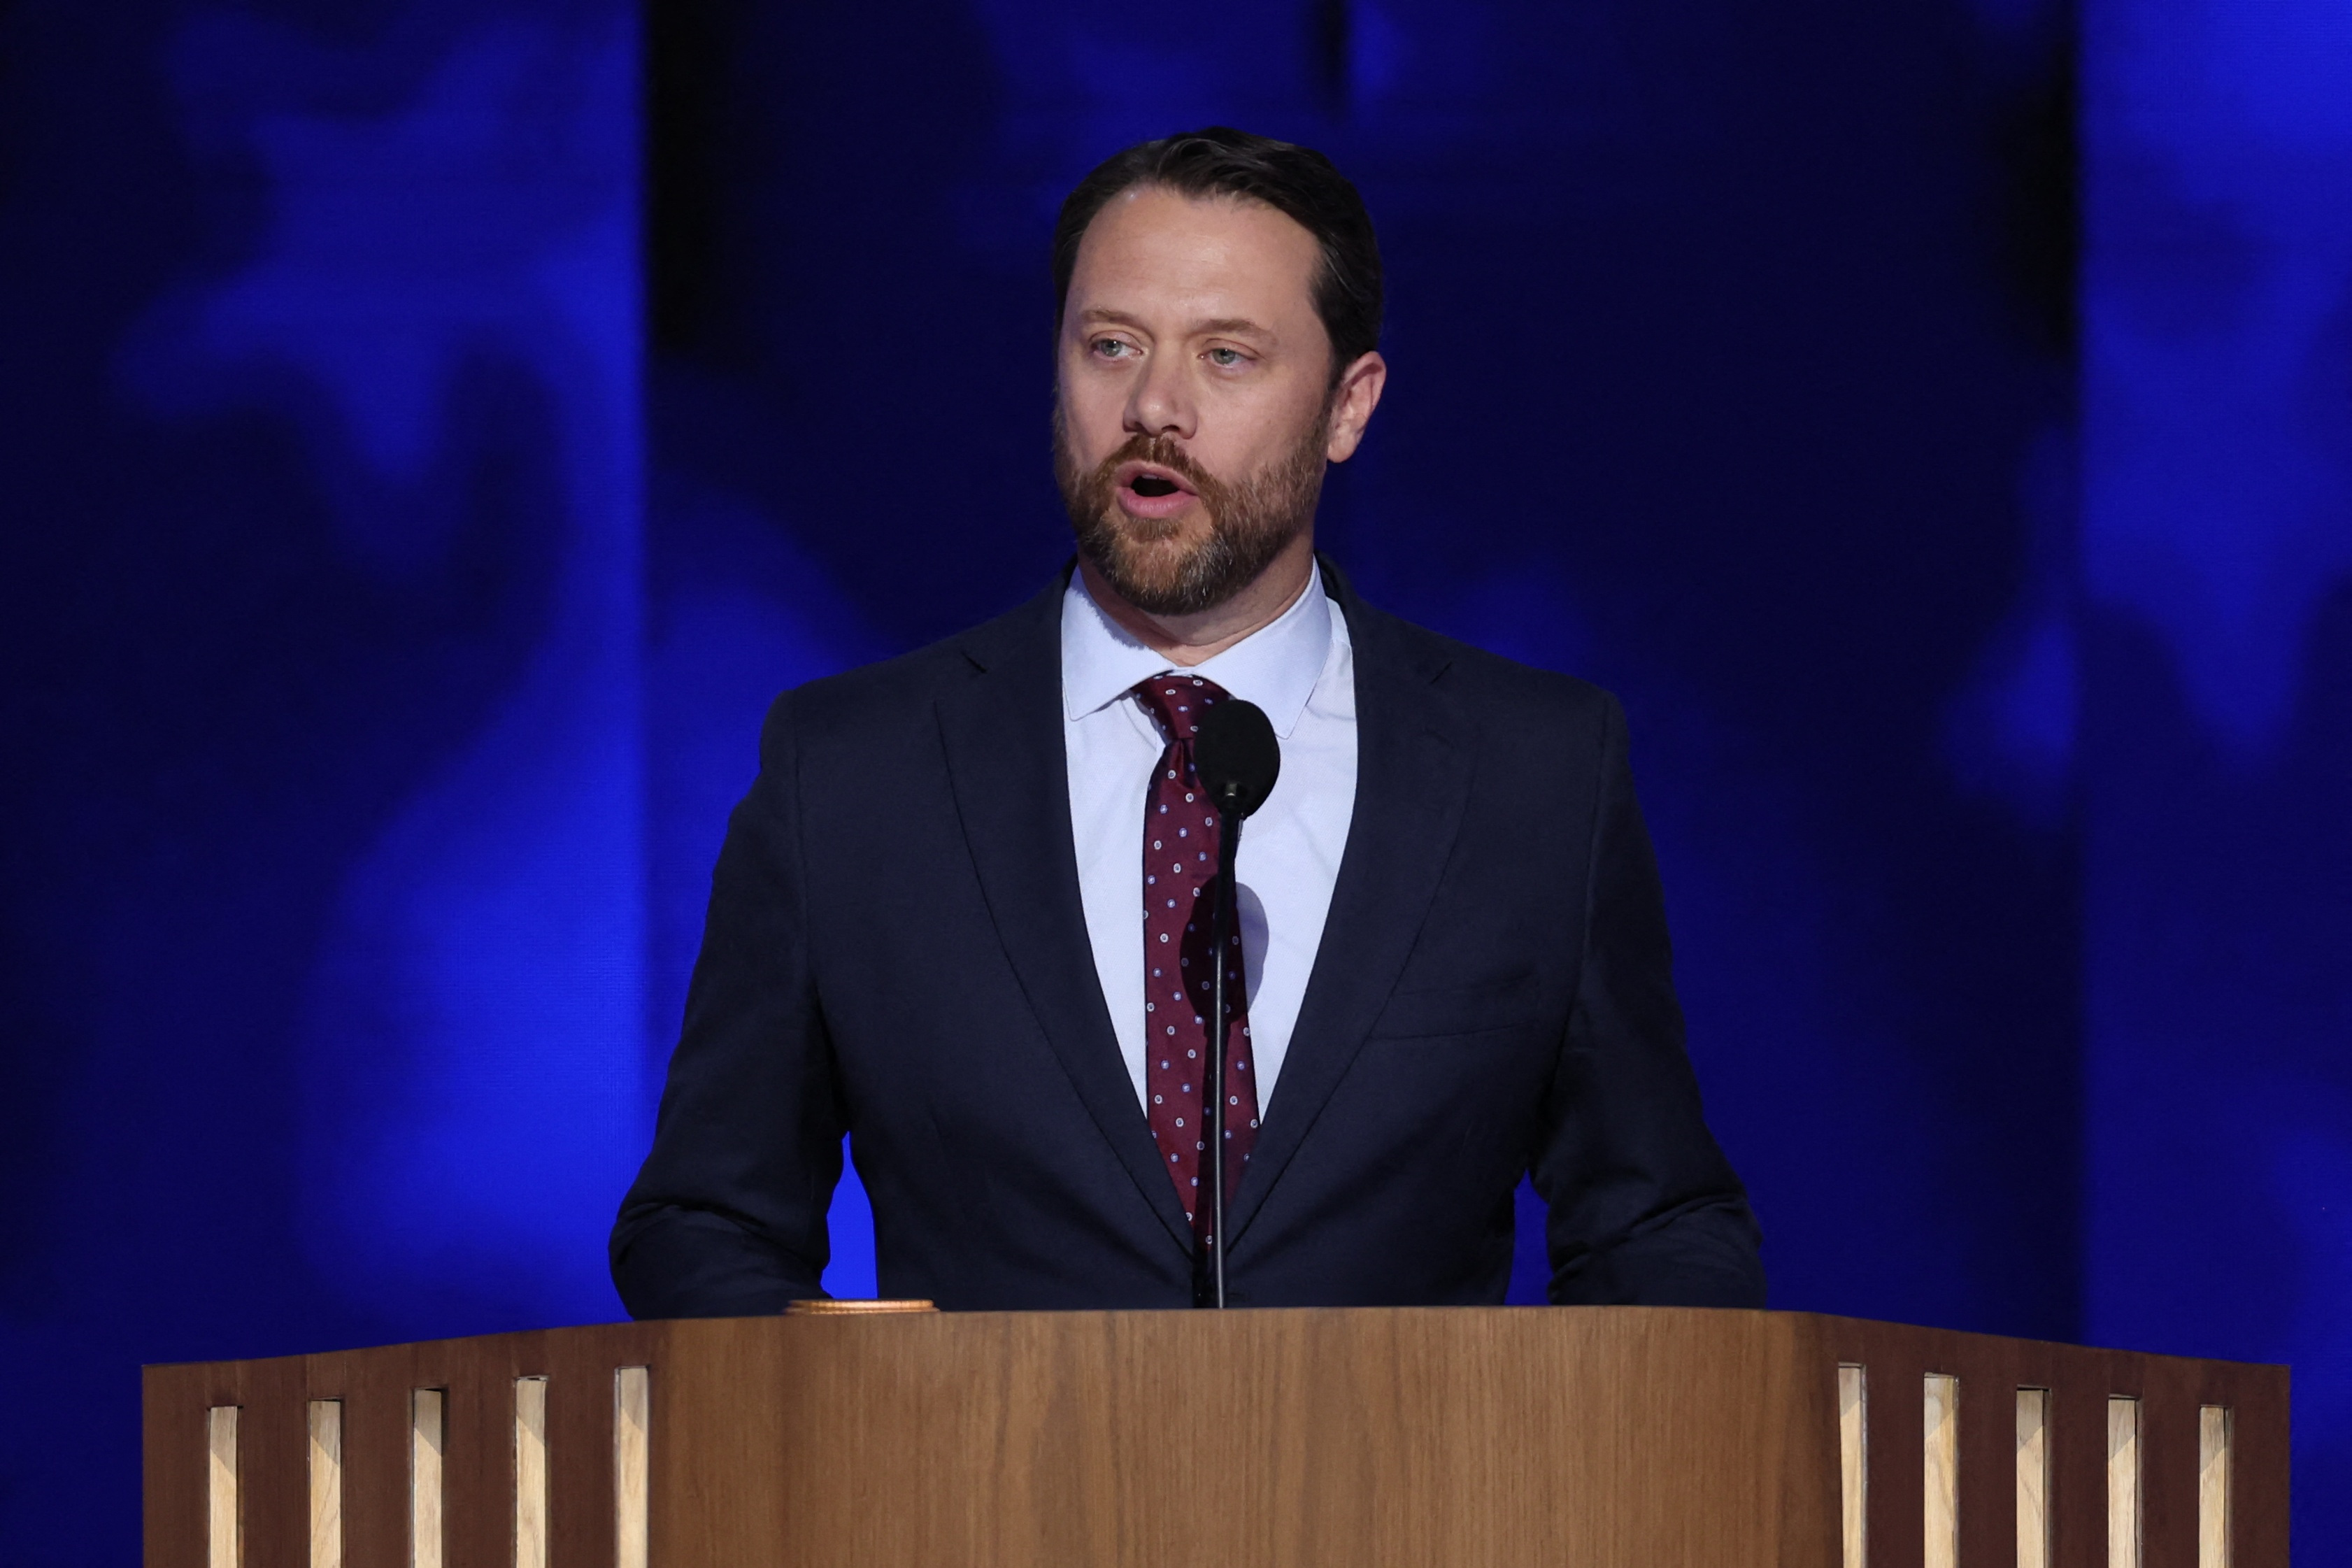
(1290, 180)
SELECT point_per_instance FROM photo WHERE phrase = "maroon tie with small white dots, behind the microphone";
(1180, 876)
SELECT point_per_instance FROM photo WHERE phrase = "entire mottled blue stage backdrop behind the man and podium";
(434, 431)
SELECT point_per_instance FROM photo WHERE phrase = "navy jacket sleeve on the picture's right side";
(1643, 1205)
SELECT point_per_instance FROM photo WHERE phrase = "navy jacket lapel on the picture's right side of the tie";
(1412, 786)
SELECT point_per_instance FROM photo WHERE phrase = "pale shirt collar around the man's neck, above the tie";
(1276, 666)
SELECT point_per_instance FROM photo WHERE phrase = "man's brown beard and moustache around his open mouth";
(1250, 521)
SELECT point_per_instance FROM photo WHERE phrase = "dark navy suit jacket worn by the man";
(897, 951)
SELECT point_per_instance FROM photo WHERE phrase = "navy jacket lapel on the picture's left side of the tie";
(1013, 789)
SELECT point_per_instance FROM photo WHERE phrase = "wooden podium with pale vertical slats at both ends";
(1638, 1438)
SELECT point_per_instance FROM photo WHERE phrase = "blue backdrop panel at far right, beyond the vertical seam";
(2214, 650)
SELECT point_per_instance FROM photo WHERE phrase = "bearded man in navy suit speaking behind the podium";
(956, 913)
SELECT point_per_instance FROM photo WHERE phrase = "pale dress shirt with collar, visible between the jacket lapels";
(1302, 674)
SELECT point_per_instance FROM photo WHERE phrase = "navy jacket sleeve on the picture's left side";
(728, 1217)
